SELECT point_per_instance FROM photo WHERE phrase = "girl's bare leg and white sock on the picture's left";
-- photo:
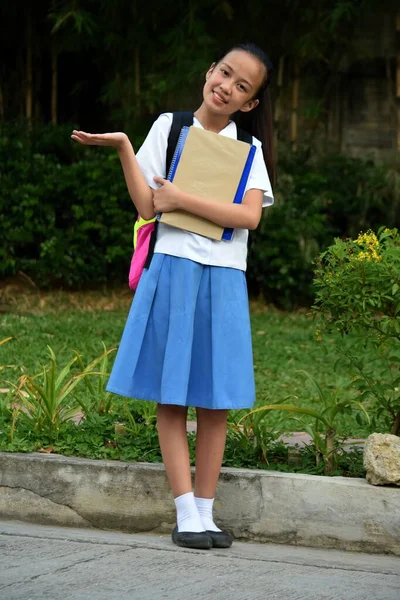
(171, 423)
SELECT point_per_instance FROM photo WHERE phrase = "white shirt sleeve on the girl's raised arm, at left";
(152, 154)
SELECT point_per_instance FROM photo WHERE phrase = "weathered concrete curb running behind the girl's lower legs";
(308, 510)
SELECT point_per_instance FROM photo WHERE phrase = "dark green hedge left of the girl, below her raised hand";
(66, 216)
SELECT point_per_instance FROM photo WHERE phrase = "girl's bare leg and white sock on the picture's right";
(210, 446)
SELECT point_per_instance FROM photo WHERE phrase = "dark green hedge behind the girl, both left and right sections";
(66, 216)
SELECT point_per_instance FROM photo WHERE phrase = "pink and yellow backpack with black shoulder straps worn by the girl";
(145, 232)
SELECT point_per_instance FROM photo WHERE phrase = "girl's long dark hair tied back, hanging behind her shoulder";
(258, 122)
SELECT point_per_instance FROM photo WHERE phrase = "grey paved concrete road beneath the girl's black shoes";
(51, 563)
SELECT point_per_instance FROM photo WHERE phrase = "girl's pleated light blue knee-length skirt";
(187, 339)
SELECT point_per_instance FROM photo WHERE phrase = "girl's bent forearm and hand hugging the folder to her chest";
(246, 215)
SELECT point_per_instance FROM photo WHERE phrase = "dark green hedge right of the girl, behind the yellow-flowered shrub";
(317, 199)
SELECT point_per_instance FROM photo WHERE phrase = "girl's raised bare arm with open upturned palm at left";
(139, 191)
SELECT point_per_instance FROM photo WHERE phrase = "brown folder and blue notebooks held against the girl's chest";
(210, 166)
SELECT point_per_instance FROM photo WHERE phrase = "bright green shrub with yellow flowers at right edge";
(358, 291)
